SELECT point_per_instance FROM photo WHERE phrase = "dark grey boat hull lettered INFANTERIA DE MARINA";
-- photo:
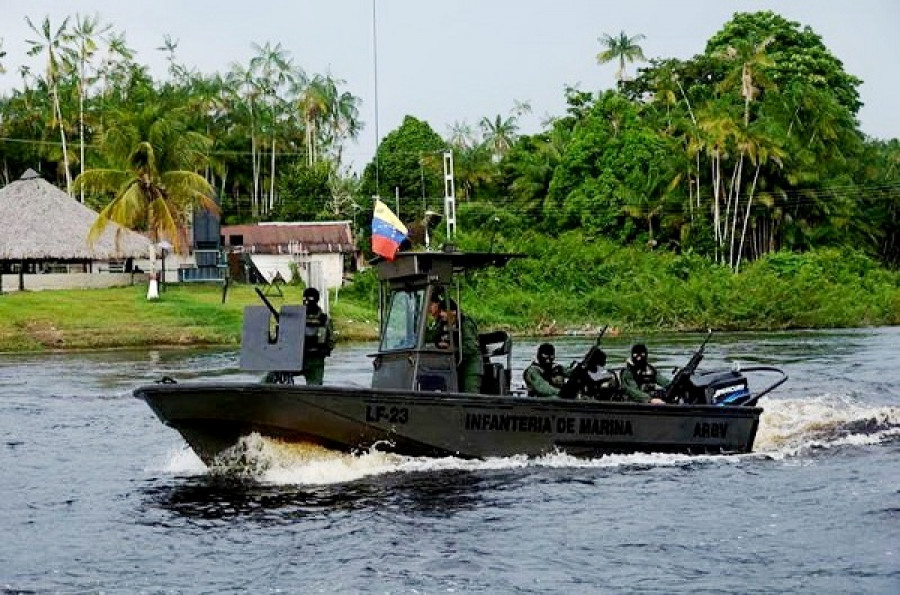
(213, 418)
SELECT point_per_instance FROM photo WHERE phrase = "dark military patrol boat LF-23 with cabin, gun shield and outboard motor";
(414, 406)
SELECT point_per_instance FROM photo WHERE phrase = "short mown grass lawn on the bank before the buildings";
(185, 315)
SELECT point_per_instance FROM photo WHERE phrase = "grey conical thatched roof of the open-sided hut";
(40, 221)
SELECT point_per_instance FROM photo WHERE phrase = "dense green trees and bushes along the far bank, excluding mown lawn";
(732, 189)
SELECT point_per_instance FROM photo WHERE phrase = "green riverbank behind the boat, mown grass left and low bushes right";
(569, 285)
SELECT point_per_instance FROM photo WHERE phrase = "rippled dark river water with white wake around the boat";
(96, 495)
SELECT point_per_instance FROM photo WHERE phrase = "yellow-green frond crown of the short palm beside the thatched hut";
(156, 188)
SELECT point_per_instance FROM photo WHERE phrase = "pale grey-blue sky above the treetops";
(461, 60)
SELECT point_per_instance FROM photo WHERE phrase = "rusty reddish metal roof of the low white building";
(313, 237)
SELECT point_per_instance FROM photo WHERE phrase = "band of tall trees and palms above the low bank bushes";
(749, 148)
